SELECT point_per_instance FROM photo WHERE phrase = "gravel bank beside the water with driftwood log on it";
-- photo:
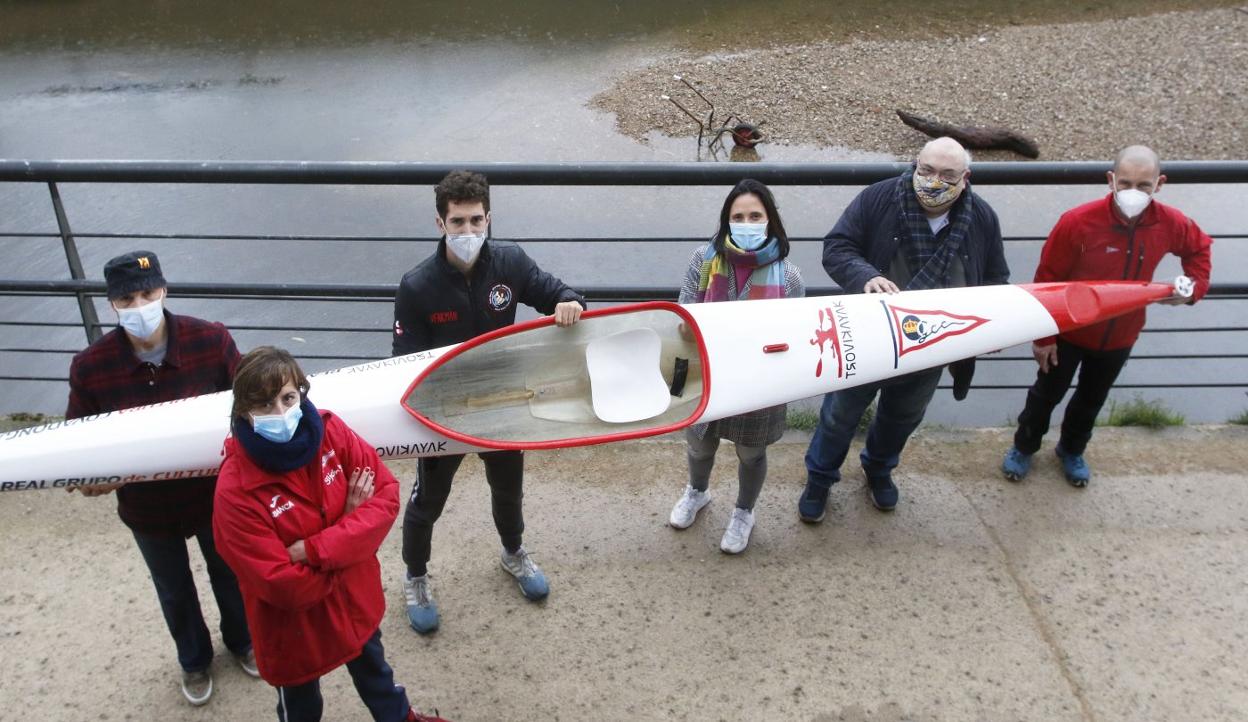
(1176, 82)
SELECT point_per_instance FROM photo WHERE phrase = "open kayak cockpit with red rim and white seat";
(612, 376)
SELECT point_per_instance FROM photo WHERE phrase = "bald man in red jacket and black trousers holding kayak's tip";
(1121, 238)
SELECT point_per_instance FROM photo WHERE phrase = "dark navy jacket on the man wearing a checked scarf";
(865, 240)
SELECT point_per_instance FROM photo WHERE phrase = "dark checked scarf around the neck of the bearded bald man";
(929, 260)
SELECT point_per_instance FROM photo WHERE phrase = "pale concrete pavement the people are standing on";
(977, 599)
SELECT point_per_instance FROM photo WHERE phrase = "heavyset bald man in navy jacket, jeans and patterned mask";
(923, 230)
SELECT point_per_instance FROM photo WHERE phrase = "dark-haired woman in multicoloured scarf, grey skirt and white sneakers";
(744, 261)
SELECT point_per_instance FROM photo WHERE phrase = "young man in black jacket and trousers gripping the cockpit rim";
(469, 287)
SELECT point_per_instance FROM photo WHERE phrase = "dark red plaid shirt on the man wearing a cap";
(200, 359)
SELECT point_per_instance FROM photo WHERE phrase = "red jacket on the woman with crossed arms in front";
(306, 619)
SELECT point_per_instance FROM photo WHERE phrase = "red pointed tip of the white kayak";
(1075, 305)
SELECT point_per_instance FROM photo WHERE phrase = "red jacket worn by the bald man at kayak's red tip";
(1093, 244)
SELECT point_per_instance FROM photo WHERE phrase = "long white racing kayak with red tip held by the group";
(621, 373)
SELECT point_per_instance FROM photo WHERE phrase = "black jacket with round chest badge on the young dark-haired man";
(439, 306)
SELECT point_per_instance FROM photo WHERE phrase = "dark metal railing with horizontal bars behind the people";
(410, 174)
